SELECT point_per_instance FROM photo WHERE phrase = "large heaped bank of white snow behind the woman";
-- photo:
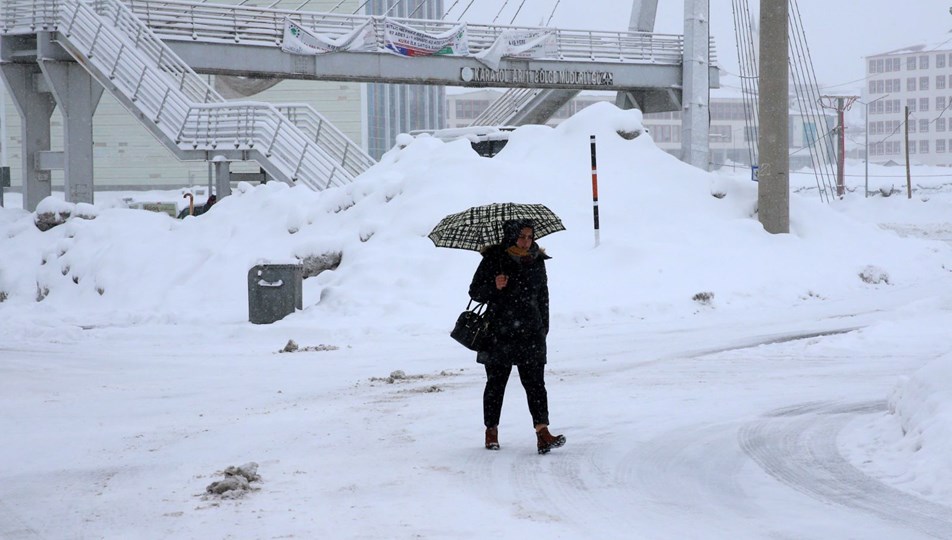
(669, 232)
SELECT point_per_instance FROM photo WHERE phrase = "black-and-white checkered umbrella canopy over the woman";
(482, 225)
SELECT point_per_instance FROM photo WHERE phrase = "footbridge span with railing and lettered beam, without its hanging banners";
(247, 41)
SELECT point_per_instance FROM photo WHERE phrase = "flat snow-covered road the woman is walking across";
(694, 431)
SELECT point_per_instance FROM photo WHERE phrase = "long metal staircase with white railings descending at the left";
(294, 144)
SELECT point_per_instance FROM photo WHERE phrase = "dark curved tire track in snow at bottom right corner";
(797, 445)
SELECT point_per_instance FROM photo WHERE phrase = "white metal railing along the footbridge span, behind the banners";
(256, 25)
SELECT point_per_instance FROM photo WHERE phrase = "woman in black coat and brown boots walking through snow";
(511, 279)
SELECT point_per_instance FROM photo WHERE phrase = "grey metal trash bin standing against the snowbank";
(274, 291)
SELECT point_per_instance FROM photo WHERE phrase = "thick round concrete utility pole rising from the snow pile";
(773, 188)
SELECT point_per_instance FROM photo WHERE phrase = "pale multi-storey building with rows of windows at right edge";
(920, 78)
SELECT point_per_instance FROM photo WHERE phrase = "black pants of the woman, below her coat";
(532, 376)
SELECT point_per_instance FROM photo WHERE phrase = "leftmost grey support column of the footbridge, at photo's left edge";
(35, 105)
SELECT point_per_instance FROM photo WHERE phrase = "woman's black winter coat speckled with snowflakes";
(519, 313)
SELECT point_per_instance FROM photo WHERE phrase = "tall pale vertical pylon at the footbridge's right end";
(695, 117)
